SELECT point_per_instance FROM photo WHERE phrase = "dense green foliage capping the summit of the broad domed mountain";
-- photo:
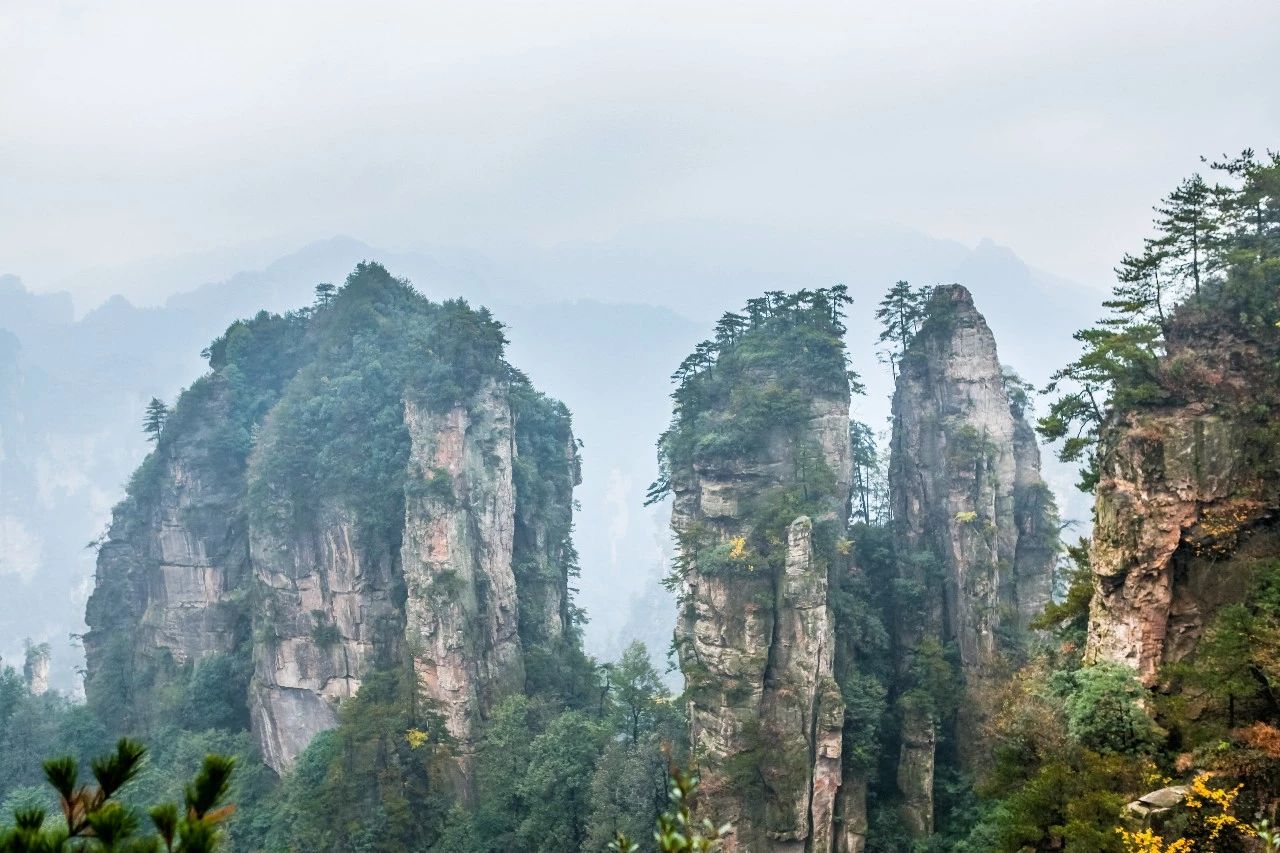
(337, 437)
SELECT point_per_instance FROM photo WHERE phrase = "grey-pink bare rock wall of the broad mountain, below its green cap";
(182, 565)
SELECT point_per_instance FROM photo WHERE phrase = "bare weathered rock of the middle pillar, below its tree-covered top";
(757, 650)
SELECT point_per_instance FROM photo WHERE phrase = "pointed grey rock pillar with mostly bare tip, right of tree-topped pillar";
(975, 528)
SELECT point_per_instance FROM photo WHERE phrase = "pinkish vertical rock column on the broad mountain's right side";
(463, 609)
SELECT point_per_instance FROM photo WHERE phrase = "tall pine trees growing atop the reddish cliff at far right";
(1217, 252)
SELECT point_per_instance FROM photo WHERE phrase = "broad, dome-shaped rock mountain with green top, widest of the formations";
(459, 568)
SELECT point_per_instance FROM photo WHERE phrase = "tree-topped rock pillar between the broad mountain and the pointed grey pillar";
(758, 462)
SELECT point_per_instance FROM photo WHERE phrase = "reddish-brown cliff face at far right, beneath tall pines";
(1188, 500)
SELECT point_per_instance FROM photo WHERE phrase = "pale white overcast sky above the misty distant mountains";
(136, 130)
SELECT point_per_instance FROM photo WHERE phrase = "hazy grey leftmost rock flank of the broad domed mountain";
(173, 580)
